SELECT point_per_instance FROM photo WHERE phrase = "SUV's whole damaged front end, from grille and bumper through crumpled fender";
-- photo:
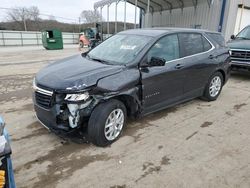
(69, 109)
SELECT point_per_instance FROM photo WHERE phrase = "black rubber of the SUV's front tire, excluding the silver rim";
(98, 119)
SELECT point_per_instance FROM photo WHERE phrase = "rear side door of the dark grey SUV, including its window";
(198, 62)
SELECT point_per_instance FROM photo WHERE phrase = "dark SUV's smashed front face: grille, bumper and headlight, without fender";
(58, 110)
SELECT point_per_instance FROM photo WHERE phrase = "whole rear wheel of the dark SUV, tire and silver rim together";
(213, 90)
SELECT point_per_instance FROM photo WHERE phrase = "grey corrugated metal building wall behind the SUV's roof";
(203, 17)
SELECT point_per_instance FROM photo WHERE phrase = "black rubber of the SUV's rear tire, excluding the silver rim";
(207, 96)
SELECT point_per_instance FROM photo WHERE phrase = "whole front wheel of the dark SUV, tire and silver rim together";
(100, 122)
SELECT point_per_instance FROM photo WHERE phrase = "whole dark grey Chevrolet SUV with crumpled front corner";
(133, 73)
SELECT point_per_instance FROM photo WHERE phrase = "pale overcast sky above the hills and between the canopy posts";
(68, 9)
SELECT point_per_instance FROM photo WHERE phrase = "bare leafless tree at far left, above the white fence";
(22, 14)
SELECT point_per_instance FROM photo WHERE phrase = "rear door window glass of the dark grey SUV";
(191, 43)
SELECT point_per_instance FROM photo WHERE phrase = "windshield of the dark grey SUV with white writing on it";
(119, 49)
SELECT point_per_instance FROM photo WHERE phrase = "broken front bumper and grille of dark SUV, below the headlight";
(60, 115)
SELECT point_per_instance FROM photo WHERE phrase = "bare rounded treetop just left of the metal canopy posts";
(90, 16)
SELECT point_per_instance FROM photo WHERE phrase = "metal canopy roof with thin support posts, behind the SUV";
(148, 6)
